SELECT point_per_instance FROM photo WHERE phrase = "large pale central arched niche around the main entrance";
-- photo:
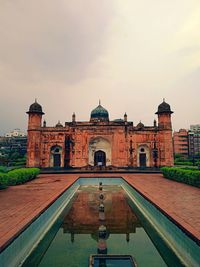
(97, 147)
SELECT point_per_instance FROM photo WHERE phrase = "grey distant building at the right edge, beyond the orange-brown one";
(194, 140)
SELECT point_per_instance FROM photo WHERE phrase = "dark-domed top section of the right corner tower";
(164, 116)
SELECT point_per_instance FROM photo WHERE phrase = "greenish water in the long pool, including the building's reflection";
(78, 237)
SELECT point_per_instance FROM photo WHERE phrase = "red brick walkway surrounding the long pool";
(21, 204)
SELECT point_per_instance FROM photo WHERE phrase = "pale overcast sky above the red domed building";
(69, 54)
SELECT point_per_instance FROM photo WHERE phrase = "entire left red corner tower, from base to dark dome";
(34, 126)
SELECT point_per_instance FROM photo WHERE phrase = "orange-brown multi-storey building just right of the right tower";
(180, 141)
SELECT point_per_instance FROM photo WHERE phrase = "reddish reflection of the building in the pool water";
(85, 218)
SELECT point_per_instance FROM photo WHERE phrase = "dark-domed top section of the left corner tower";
(35, 116)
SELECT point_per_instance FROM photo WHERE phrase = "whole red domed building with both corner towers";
(99, 142)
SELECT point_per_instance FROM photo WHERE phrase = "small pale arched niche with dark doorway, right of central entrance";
(143, 156)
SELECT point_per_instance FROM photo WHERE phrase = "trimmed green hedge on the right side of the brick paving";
(187, 176)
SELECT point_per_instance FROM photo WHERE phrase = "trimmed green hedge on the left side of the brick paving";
(18, 176)
